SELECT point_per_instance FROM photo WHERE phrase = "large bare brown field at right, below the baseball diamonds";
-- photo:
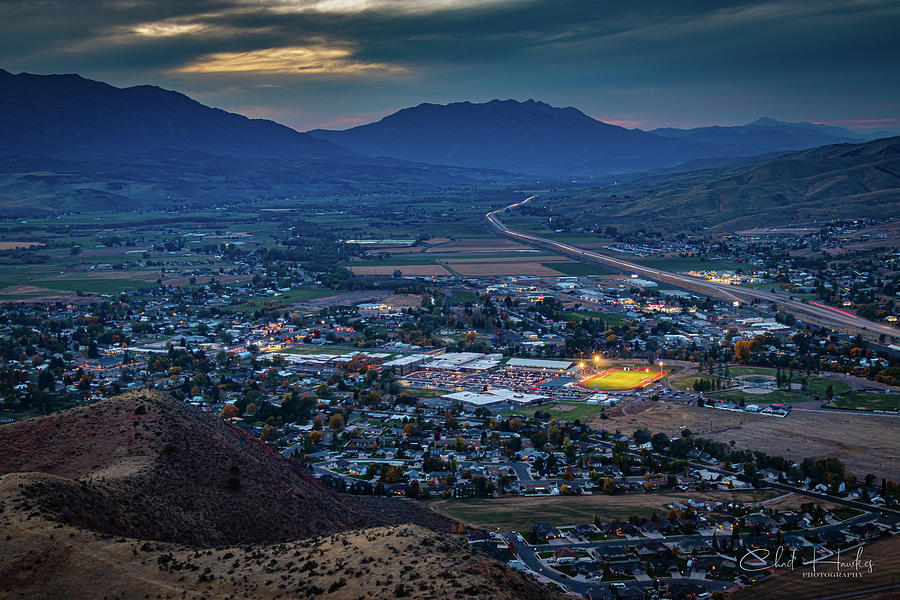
(866, 443)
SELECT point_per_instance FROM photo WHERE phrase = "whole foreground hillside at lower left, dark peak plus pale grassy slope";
(130, 498)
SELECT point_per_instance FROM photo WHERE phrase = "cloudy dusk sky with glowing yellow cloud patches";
(340, 63)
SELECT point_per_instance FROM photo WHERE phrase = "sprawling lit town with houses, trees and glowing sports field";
(464, 391)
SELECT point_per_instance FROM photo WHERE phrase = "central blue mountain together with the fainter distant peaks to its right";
(534, 137)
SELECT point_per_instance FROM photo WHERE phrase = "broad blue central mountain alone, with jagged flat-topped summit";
(518, 136)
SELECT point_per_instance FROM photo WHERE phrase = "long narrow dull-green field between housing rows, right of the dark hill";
(520, 513)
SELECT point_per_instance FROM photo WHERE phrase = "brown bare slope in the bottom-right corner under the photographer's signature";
(885, 557)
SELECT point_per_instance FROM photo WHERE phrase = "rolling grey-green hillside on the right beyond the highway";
(837, 181)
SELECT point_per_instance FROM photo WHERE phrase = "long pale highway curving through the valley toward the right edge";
(814, 313)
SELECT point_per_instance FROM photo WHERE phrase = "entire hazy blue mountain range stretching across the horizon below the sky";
(73, 144)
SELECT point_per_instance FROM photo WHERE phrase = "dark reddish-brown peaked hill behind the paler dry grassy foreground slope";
(146, 466)
